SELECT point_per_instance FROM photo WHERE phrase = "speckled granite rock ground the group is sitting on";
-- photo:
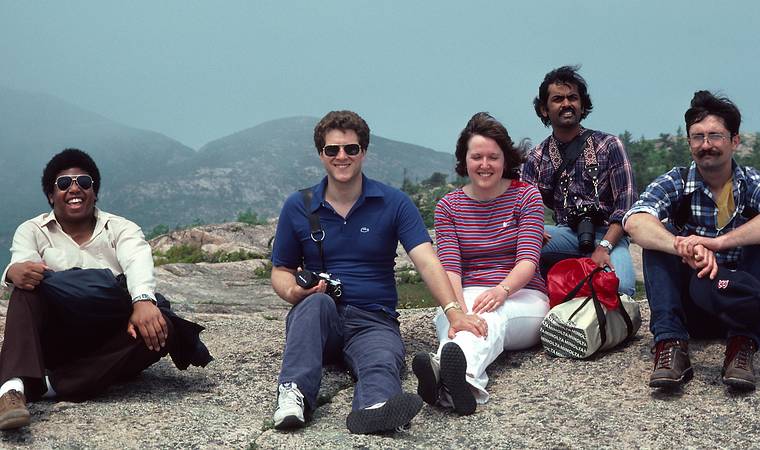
(536, 401)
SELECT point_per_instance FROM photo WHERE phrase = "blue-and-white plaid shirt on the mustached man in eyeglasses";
(662, 199)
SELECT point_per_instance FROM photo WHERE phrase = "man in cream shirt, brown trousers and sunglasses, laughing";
(69, 346)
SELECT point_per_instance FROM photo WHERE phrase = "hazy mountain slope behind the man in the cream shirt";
(36, 126)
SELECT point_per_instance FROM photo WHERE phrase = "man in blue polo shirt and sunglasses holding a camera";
(360, 223)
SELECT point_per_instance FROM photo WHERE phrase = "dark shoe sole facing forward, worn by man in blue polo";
(396, 413)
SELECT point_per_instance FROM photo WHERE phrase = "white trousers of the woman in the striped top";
(513, 326)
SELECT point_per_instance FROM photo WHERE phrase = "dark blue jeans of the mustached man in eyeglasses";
(674, 315)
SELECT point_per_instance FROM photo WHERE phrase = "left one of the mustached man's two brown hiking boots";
(672, 367)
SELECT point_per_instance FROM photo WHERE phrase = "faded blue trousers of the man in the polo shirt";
(318, 332)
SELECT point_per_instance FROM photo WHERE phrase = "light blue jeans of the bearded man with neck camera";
(564, 244)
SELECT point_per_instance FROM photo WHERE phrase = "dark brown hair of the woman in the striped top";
(483, 124)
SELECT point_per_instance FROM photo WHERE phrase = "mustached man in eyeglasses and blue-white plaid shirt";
(700, 236)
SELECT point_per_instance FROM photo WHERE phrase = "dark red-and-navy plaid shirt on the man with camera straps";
(617, 189)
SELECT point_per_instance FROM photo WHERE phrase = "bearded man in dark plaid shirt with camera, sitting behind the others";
(584, 177)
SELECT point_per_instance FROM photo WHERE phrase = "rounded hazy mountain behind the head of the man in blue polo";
(258, 167)
